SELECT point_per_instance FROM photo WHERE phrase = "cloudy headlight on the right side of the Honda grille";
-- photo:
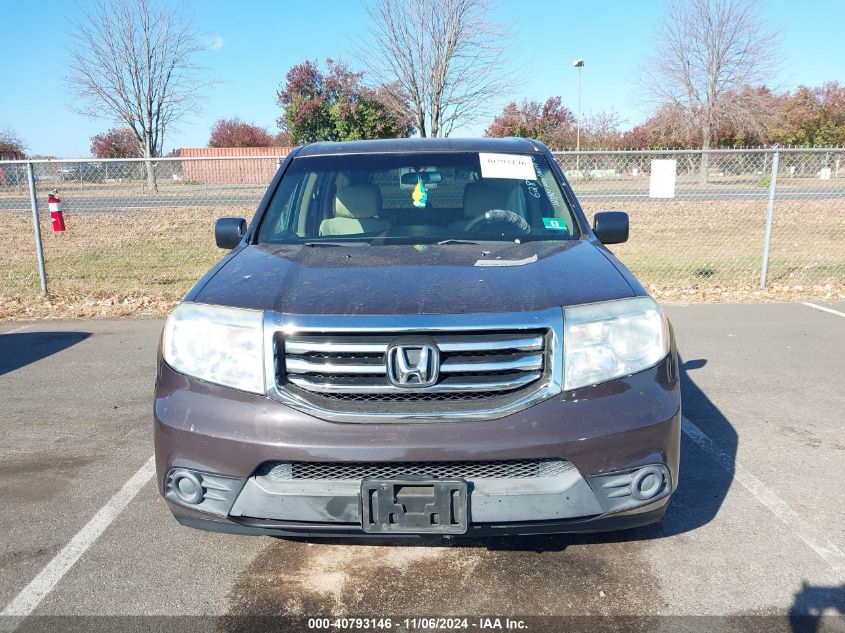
(603, 341)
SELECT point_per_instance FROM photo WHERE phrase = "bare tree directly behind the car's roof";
(446, 57)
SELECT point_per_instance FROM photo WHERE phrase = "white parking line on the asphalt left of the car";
(30, 596)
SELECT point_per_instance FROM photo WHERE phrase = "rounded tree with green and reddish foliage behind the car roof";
(335, 105)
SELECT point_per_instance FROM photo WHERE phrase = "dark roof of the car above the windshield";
(412, 145)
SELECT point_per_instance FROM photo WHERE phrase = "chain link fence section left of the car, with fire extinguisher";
(129, 248)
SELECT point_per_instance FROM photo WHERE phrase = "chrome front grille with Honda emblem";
(483, 365)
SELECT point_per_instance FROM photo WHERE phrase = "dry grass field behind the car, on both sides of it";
(141, 262)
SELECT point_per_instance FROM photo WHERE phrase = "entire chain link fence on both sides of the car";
(135, 244)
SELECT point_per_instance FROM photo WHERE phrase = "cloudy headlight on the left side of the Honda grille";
(220, 345)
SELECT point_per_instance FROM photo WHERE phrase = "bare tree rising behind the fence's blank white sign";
(707, 54)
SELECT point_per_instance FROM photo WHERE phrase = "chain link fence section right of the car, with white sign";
(699, 220)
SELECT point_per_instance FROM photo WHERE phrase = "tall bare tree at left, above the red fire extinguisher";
(132, 61)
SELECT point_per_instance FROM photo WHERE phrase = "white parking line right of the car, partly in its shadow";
(813, 537)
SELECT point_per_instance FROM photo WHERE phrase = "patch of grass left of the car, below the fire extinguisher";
(136, 262)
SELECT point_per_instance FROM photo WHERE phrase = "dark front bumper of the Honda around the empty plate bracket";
(605, 433)
